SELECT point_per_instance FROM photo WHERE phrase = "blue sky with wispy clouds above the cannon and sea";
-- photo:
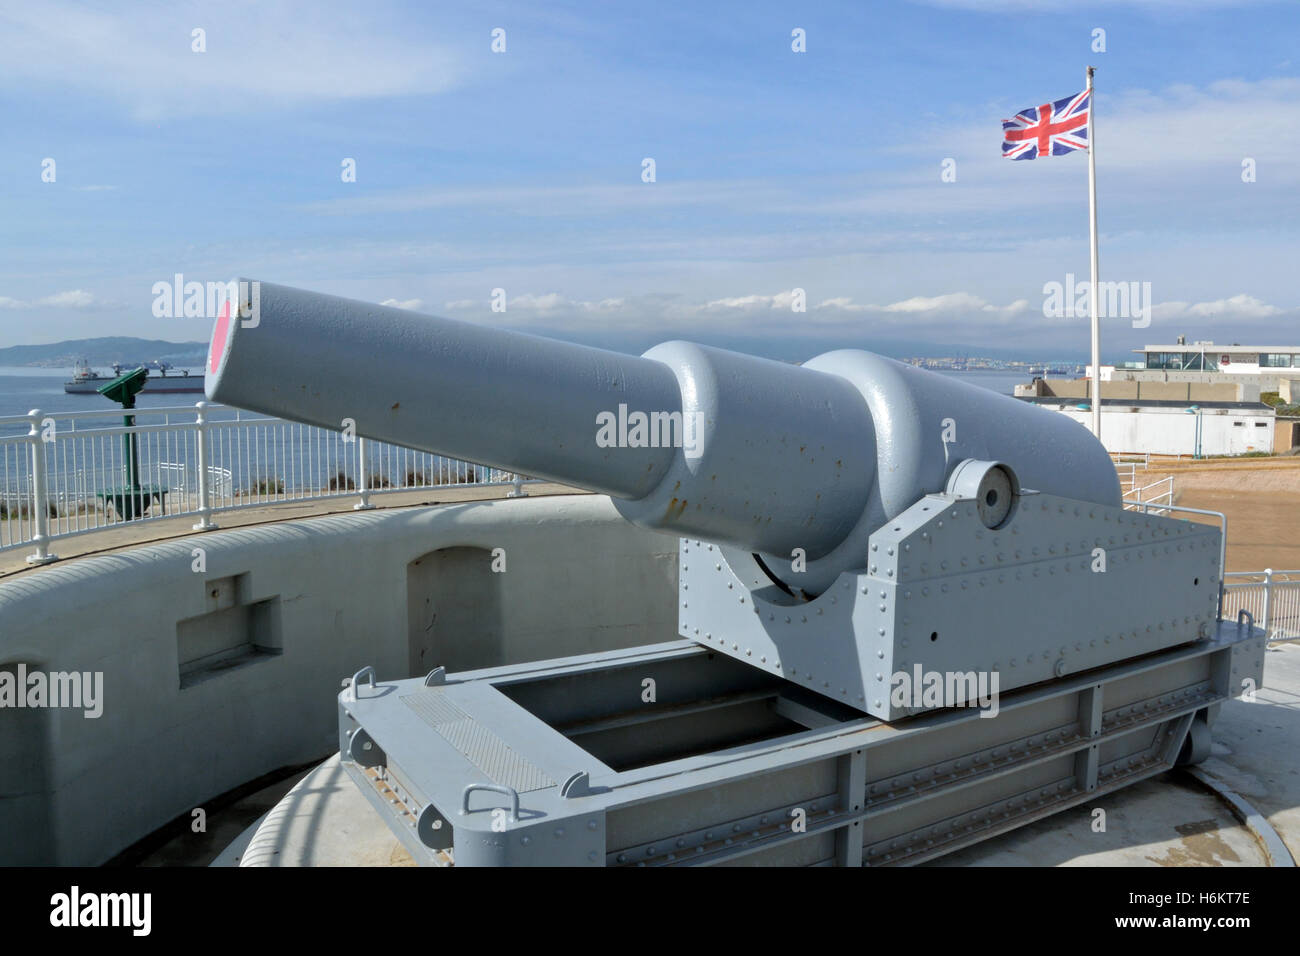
(522, 171)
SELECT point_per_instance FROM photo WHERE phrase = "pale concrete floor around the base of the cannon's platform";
(1167, 821)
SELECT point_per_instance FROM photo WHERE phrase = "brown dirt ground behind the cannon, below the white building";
(1262, 500)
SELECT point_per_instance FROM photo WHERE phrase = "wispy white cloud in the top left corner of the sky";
(258, 55)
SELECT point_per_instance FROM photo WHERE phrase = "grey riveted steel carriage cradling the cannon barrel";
(1063, 587)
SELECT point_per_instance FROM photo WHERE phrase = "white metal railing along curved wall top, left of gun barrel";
(68, 474)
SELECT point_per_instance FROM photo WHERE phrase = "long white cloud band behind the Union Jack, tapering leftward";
(1154, 149)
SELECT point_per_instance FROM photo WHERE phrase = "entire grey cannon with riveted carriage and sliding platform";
(912, 603)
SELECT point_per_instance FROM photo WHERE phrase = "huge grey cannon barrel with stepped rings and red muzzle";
(775, 458)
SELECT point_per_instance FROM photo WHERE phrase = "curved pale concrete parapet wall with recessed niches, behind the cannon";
(215, 677)
